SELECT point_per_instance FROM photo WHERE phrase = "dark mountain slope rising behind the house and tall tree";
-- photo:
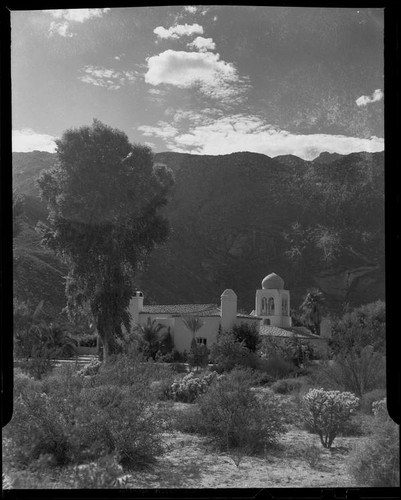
(232, 219)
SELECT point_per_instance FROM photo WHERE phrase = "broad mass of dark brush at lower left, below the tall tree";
(74, 423)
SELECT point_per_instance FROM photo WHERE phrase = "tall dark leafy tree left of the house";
(104, 196)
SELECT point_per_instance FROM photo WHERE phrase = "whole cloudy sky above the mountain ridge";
(202, 79)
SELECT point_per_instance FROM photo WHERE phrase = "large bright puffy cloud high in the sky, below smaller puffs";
(213, 77)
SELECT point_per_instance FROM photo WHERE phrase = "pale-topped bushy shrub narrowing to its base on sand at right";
(327, 412)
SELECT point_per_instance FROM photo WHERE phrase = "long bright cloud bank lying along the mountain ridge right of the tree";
(240, 132)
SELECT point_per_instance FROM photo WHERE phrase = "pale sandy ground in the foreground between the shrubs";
(190, 463)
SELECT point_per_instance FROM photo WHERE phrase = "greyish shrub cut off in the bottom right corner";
(375, 461)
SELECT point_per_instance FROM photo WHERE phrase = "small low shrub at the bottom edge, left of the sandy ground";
(104, 473)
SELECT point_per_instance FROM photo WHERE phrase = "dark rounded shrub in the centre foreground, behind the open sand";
(232, 414)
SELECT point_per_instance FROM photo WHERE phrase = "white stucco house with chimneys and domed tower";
(271, 315)
